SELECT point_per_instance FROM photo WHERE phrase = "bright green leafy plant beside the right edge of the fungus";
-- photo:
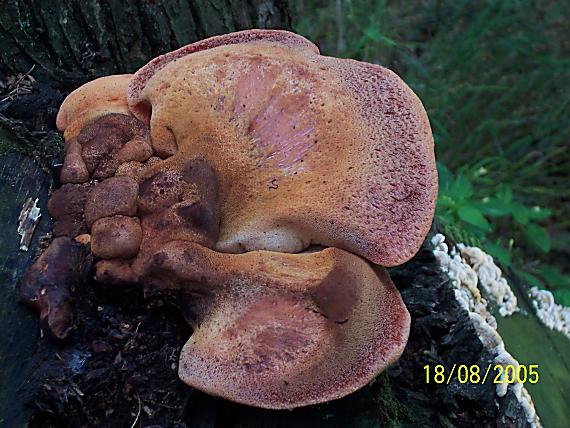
(476, 220)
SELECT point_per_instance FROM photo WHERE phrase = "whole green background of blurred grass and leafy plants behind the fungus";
(494, 78)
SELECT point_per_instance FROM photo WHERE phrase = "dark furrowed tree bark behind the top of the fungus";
(73, 41)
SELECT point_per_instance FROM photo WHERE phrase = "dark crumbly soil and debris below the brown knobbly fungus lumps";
(121, 361)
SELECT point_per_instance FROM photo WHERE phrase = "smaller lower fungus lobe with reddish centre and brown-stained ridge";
(267, 332)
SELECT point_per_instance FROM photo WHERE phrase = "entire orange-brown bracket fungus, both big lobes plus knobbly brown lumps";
(263, 187)
